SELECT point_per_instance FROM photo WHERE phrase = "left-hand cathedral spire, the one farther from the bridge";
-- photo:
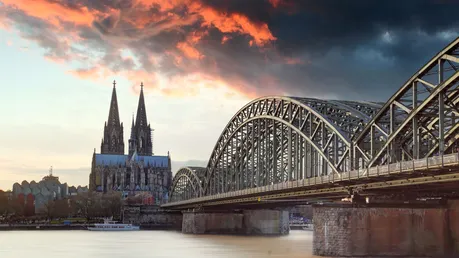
(113, 142)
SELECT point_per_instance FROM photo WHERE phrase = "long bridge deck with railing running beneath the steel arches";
(442, 168)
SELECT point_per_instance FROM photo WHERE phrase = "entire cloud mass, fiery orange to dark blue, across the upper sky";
(340, 49)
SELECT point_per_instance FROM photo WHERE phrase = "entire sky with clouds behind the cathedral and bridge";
(199, 60)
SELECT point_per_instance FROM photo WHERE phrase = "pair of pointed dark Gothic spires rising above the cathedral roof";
(140, 139)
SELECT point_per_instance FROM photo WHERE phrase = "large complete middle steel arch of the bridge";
(276, 139)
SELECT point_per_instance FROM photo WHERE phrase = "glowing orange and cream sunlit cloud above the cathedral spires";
(147, 18)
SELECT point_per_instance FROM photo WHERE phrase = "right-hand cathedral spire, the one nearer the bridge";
(140, 139)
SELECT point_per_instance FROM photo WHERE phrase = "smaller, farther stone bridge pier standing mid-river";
(247, 222)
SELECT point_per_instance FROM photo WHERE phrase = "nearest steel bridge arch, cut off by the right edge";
(419, 120)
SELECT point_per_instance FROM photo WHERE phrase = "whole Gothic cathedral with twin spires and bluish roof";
(139, 170)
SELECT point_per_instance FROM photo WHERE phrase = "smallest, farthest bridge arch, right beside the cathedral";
(187, 183)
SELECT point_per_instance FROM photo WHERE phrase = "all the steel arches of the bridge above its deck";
(274, 140)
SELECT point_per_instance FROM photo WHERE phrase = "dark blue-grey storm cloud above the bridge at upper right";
(361, 46)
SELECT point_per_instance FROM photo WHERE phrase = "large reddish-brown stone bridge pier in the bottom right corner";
(397, 230)
